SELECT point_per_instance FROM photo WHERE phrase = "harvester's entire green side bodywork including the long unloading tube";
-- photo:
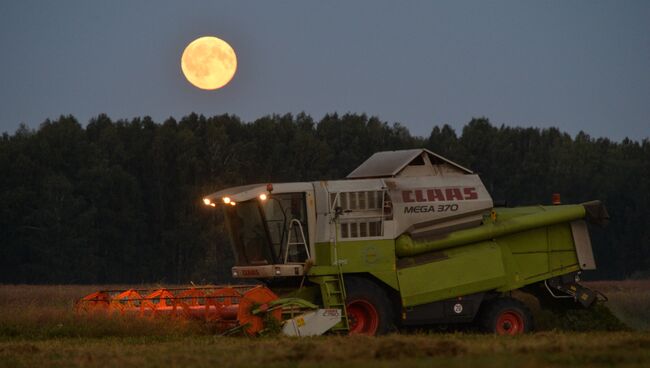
(511, 249)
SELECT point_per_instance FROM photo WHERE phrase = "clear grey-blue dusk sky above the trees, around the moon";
(577, 65)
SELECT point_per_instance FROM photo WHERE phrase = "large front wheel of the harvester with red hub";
(369, 310)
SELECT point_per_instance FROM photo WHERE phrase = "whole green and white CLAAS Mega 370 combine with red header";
(409, 238)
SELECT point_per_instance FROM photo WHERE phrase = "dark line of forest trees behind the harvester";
(120, 201)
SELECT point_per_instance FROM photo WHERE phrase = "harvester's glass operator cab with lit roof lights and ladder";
(268, 228)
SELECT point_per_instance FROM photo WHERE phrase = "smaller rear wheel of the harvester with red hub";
(505, 316)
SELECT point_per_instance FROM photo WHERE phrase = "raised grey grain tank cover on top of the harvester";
(406, 163)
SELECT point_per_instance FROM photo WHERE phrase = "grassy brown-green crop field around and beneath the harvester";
(39, 328)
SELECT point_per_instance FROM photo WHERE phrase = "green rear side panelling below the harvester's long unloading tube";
(503, 264)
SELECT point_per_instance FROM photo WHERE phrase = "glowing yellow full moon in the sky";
(209, 63)
